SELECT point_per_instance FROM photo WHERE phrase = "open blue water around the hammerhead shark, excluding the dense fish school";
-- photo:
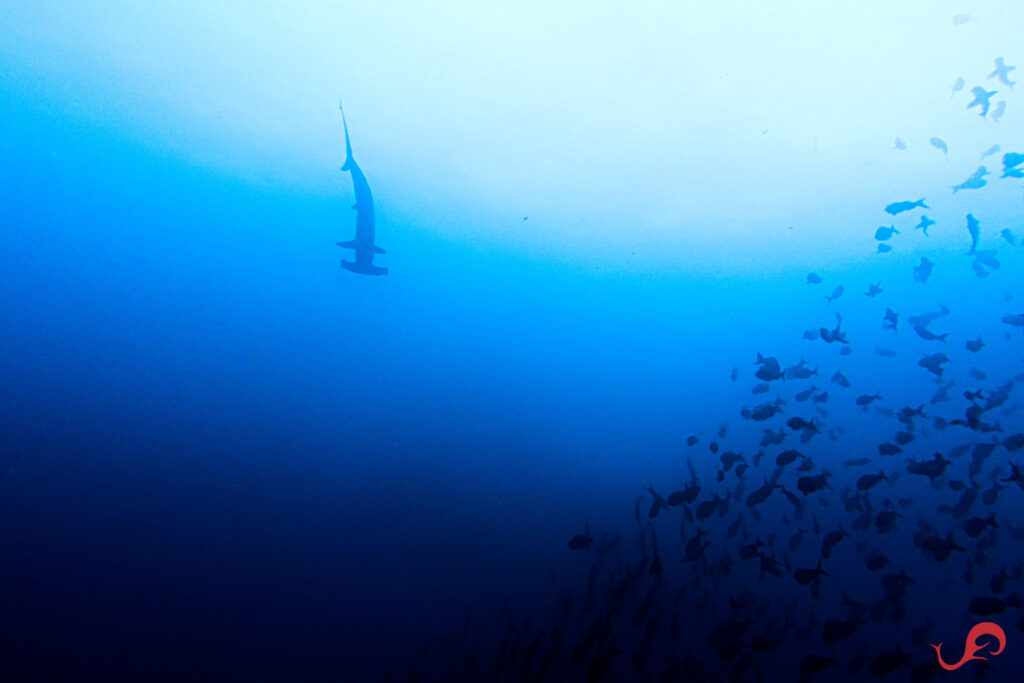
(223, 453)
